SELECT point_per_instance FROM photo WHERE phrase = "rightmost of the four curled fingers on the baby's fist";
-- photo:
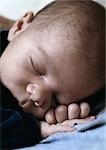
(85, 109)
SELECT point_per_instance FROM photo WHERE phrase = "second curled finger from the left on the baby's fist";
(61, 113)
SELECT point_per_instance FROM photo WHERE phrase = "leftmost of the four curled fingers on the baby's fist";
(50, 116)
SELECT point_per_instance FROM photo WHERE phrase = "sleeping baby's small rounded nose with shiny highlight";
(36, 94)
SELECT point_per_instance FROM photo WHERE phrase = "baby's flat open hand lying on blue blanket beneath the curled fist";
(65, 126)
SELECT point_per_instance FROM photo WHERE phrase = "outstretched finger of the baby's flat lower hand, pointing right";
(78, 121)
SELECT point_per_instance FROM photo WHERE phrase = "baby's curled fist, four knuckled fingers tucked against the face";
(62, 112)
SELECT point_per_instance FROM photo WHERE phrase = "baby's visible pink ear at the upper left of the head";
(20, 25)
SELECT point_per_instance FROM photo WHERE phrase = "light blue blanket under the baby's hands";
(89, 136)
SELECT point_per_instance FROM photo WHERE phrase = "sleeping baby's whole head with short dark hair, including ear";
(56, 55)
